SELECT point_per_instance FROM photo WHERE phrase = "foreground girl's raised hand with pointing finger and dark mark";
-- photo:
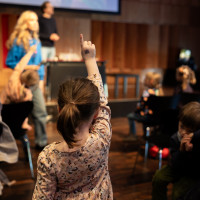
(88, 50)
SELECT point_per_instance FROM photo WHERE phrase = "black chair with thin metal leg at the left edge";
(14, 115)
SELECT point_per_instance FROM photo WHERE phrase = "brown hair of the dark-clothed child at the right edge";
(190, 116)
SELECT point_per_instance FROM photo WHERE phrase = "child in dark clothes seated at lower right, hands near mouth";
(183, 168)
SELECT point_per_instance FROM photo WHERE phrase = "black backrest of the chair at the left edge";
(14, 115)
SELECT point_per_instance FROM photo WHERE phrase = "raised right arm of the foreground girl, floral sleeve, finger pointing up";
(101, 123)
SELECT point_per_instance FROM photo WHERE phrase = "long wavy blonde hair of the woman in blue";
(21, 32)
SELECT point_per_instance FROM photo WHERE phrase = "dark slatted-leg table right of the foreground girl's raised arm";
(125, 77)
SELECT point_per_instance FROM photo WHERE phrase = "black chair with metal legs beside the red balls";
(159, 120)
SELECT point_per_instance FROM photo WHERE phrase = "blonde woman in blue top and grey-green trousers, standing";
(24, 36)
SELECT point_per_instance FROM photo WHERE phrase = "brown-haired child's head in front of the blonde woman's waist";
(29, 78)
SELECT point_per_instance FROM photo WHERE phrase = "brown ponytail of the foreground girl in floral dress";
(68, 122)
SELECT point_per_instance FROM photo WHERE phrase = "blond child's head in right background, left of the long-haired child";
(153, 80)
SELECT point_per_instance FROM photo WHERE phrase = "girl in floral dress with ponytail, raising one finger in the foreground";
(77, 168)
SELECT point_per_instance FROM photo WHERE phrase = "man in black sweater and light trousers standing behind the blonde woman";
(48, 31)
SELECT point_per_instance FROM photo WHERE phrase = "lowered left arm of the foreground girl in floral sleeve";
(46, 183)
